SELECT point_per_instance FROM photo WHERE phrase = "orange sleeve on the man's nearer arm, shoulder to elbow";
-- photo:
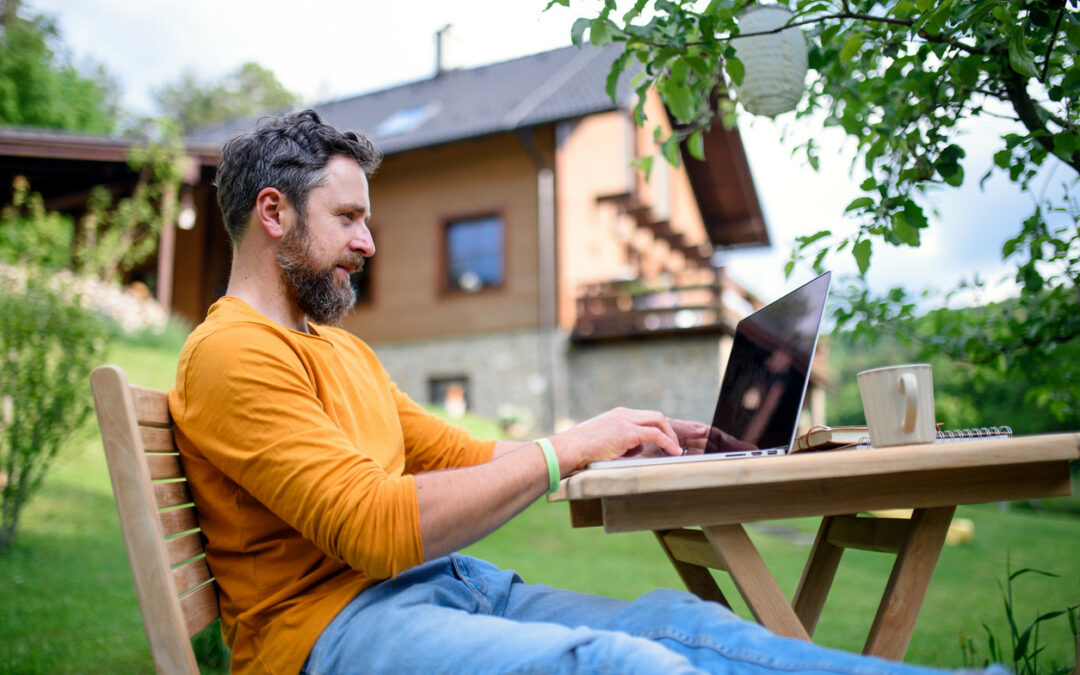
(254, 414)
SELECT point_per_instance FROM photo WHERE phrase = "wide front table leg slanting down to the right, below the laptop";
(754, 582)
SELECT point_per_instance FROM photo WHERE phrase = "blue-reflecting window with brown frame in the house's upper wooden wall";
(475, 254)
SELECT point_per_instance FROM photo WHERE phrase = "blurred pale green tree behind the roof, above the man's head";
(248, 91)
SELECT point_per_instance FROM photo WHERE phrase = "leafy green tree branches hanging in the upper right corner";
(899, 78)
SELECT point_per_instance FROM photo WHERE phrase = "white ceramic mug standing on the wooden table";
(899, 404)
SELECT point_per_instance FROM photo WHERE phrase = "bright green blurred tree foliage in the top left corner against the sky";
(40, 88)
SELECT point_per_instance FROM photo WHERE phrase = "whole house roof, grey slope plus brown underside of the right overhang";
(530, 91)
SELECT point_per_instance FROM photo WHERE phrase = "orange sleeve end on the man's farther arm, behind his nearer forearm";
(433, 444)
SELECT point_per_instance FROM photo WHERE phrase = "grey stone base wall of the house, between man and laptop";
(507, 374)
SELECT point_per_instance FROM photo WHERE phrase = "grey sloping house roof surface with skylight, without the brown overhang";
(462, 104)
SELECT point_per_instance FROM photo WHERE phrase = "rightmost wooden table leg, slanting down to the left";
(908, 585)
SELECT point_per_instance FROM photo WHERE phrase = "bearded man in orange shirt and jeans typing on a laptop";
(333, 505)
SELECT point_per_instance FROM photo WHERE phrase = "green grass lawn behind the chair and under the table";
(70, 606)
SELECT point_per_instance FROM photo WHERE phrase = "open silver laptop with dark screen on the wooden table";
(765, 383)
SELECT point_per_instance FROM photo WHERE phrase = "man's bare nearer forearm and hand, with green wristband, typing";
(463, 506)
